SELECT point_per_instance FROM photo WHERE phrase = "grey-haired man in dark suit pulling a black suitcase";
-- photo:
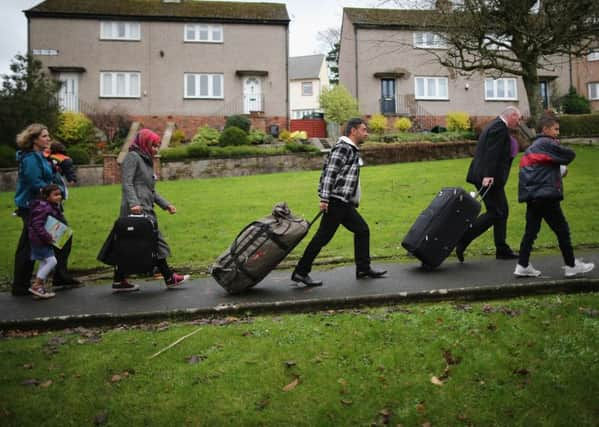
(491, 168)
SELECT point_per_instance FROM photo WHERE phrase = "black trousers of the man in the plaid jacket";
(339, 213)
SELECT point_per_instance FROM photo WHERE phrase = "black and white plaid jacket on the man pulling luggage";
(340, 173)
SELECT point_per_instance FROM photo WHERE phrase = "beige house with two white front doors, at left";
(191, 62)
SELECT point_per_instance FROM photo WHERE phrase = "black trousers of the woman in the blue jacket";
(23, 268)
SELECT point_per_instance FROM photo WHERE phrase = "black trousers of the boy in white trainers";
(551, 212)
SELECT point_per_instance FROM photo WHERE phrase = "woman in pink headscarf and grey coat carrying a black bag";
(138, 197)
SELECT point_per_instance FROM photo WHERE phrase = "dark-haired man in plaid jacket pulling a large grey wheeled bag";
(339, 191)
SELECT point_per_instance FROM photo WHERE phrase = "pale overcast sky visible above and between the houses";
(307, 18)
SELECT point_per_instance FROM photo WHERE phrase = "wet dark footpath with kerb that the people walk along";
(475, 279)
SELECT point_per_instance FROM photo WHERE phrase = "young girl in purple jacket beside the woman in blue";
(39, 238)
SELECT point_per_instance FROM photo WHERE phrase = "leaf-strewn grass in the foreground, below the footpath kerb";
(524, 362)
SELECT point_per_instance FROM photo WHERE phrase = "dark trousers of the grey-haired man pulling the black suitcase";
(495, 216)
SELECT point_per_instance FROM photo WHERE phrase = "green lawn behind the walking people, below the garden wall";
(212, 211)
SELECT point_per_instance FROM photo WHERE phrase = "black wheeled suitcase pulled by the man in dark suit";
(439, 227)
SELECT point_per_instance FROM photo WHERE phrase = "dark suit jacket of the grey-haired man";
(492, 156)
